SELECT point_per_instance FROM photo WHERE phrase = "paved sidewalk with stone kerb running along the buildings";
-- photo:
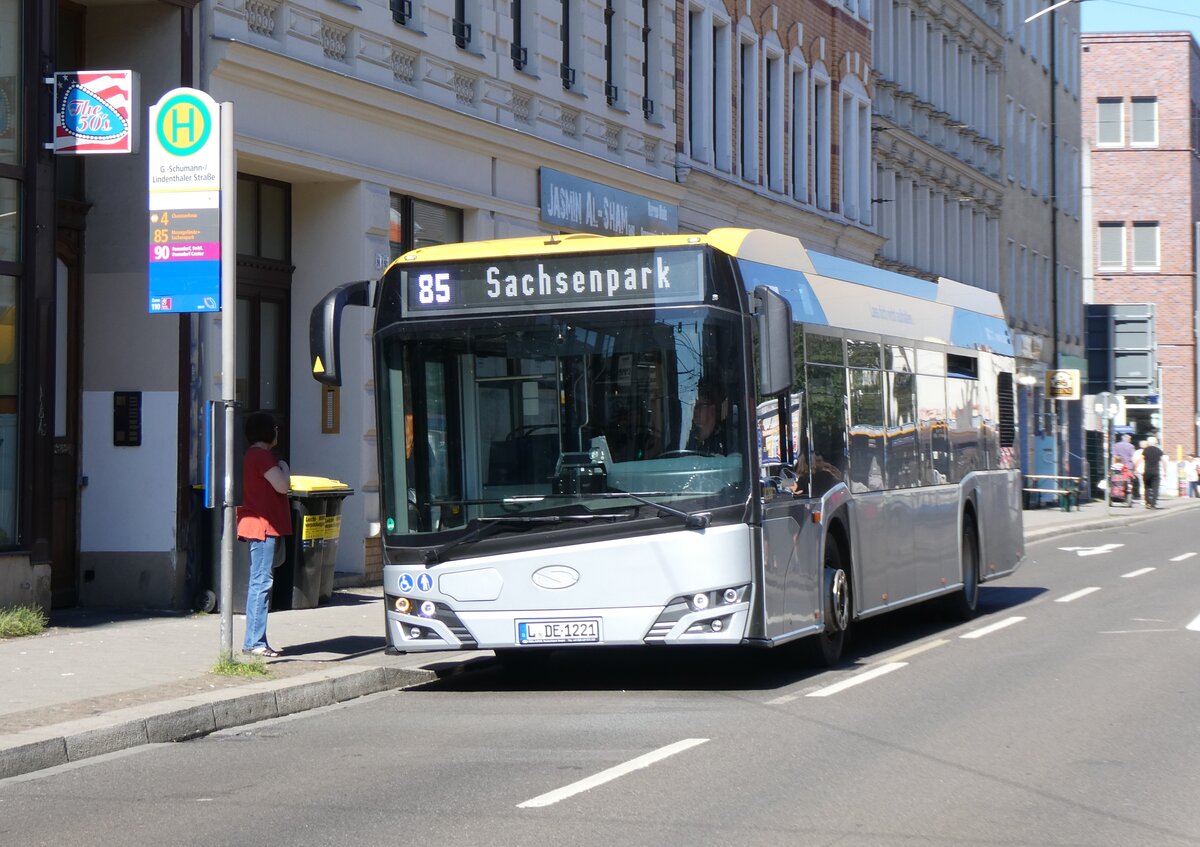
(98, 682)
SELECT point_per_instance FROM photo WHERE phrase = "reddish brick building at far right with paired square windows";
(1141, 121)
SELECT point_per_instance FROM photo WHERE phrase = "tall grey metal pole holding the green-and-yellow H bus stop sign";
(229, 367)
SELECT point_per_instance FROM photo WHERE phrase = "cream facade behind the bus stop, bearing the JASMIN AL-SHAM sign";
(362, 131)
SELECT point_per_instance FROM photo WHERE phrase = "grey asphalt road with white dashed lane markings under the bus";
(1066, 714)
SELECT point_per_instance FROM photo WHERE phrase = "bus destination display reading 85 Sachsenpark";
(539, 284)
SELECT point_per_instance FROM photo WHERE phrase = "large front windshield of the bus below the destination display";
(561, 415)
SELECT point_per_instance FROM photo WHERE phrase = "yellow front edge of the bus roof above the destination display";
(752, 244)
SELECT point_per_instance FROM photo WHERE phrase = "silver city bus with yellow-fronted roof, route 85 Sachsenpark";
(711, 440)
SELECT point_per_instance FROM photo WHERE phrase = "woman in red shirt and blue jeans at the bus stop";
(263, 520)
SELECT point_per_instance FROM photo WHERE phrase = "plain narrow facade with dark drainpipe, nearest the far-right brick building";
(1042, 231)
